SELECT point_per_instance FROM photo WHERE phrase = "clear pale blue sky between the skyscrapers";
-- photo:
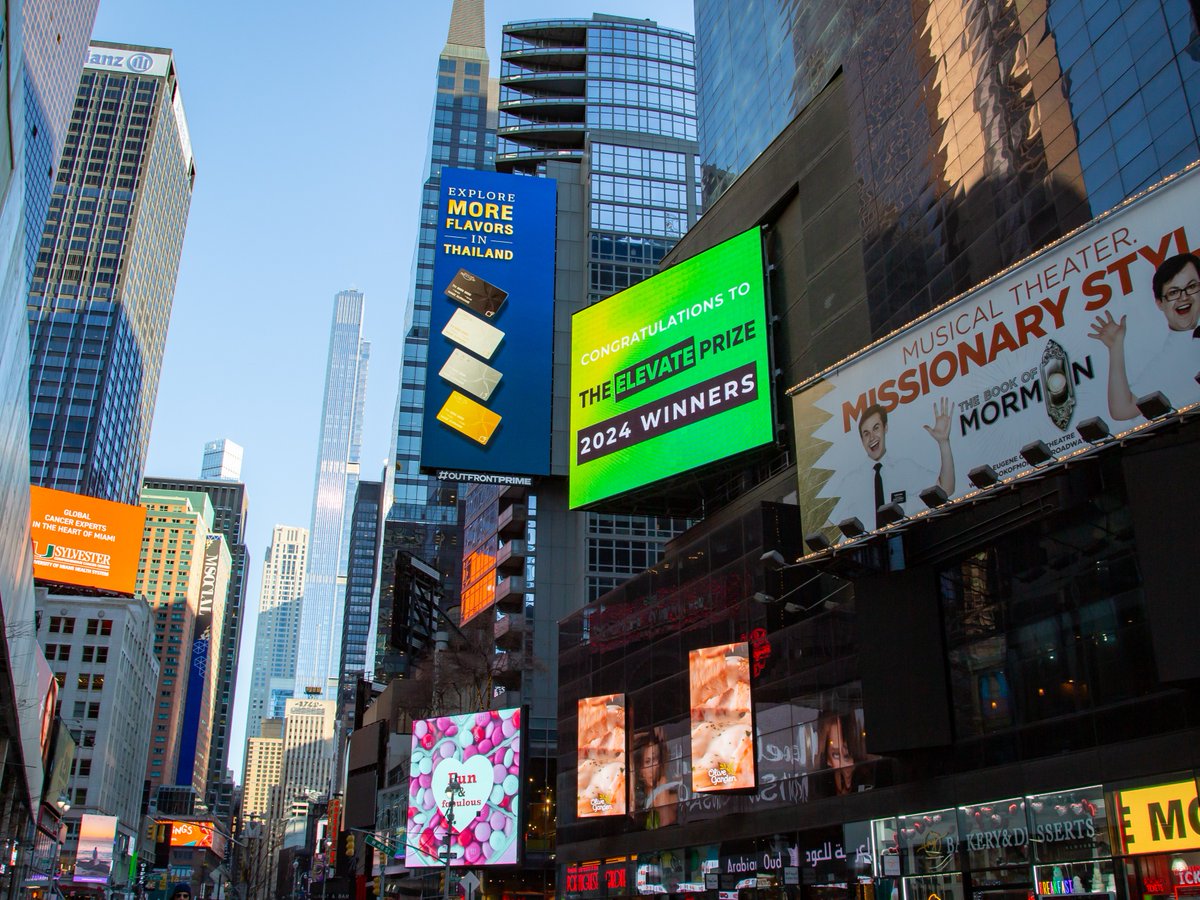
(310, 125)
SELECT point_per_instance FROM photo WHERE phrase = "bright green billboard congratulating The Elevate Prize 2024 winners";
(671, 374)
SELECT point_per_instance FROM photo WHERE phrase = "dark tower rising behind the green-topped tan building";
(230, 515)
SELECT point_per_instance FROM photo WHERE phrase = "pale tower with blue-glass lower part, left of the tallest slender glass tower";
(279, 626)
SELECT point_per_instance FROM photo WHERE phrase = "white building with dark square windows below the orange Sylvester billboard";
(103, 653)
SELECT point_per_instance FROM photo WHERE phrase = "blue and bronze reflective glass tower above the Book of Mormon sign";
(979, 131)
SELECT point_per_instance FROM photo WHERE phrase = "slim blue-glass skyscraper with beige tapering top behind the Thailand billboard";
(424, 518)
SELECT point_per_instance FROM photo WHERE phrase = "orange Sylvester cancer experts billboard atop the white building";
(85, 541)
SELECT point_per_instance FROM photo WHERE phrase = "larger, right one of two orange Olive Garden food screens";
(722, 718)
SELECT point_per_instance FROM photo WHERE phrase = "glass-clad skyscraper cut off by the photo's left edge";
(46, 41)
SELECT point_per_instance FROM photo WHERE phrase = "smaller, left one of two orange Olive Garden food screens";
(603, 769)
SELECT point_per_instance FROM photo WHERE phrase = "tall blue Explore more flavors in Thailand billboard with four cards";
(491, 328)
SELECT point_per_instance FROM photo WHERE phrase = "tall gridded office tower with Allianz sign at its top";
(105, 278)
